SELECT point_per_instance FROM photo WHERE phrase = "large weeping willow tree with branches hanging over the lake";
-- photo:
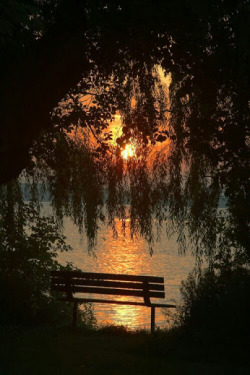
(204, 47)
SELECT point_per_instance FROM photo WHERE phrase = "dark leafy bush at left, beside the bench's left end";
(30, 243)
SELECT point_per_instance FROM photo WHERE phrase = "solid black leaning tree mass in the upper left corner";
(35, 39)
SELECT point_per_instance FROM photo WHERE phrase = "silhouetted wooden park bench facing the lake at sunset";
(143, 287)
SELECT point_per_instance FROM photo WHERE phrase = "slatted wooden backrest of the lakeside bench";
(71, 282)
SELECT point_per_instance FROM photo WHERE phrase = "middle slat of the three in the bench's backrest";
(106, 284)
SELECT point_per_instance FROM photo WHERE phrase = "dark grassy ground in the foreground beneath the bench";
(108, 351)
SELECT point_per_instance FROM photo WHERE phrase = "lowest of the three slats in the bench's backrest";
(120, 292)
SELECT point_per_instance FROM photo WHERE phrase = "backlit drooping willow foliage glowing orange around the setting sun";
(163, 185)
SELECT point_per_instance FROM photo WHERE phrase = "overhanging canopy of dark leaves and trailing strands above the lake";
(201, 119)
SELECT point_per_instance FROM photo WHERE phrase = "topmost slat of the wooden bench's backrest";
(107, 276)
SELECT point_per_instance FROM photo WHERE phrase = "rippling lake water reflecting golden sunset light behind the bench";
(124, 256)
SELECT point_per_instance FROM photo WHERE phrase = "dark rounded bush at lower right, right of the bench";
(216, 302)
